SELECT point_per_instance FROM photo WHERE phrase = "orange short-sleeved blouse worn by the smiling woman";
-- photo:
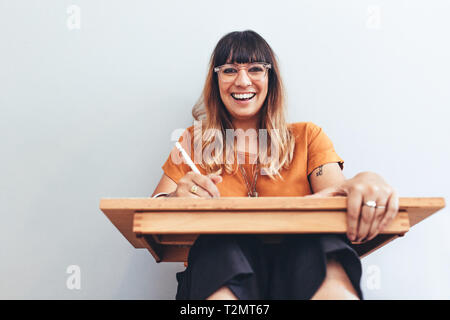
(313, 148)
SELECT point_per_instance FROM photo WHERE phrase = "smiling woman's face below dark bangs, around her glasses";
(247, 109)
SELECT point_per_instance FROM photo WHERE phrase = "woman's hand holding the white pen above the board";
(206, 186)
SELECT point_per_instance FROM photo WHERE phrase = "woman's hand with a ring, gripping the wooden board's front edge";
(365, 221)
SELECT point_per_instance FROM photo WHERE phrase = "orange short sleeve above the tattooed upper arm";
(320, 149)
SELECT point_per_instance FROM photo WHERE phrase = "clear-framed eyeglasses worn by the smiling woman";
(255, 70)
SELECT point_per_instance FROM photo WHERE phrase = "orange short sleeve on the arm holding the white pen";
(175, 167)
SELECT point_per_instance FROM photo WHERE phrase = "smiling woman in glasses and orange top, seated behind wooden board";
(244, 94)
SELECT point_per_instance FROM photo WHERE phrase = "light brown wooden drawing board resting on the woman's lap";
(168, 227)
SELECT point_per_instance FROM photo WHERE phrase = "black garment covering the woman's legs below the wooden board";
(253, 270)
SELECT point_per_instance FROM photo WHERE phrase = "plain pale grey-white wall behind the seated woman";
(88, 113)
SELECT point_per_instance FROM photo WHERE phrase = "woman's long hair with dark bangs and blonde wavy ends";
(243, 47)
